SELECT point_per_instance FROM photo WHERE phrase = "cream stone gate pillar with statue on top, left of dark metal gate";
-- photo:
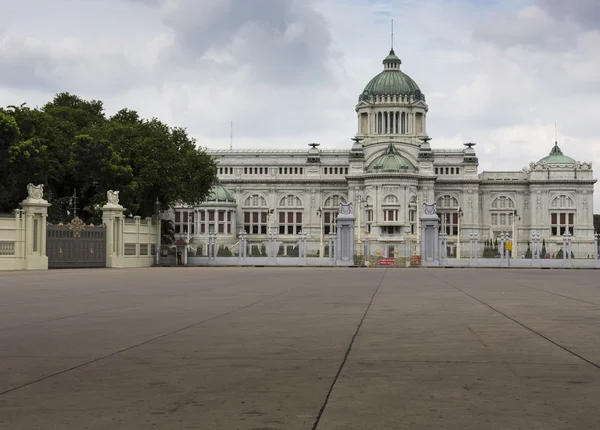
(35, 212)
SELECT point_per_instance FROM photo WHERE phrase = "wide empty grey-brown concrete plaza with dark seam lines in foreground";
(300, 348)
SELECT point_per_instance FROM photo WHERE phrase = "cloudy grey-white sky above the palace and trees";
(289, 72)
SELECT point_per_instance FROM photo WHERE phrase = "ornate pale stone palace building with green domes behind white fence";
(388, 172)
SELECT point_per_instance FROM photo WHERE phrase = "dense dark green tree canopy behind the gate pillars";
(71, 145)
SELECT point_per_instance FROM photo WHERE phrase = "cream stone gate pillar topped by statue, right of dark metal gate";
(114, 219)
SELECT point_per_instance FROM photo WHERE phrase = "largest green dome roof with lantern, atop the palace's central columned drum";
(392, 81)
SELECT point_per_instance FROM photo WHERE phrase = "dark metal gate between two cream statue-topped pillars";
(75, 245)
